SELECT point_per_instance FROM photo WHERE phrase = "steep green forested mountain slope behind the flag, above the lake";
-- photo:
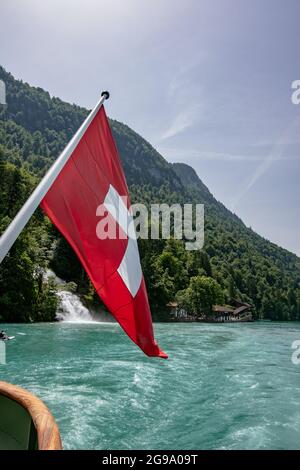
(239, 263)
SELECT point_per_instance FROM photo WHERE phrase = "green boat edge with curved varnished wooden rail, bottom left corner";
(25, 421)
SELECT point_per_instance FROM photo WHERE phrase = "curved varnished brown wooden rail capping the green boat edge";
(46, 427)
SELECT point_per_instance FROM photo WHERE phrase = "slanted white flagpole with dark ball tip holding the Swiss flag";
(18, 223)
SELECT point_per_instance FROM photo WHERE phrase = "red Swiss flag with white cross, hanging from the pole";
(93, 179)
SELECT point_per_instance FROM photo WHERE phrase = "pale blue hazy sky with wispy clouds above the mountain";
(207, 82)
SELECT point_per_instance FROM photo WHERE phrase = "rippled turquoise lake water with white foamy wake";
(224, 386)
